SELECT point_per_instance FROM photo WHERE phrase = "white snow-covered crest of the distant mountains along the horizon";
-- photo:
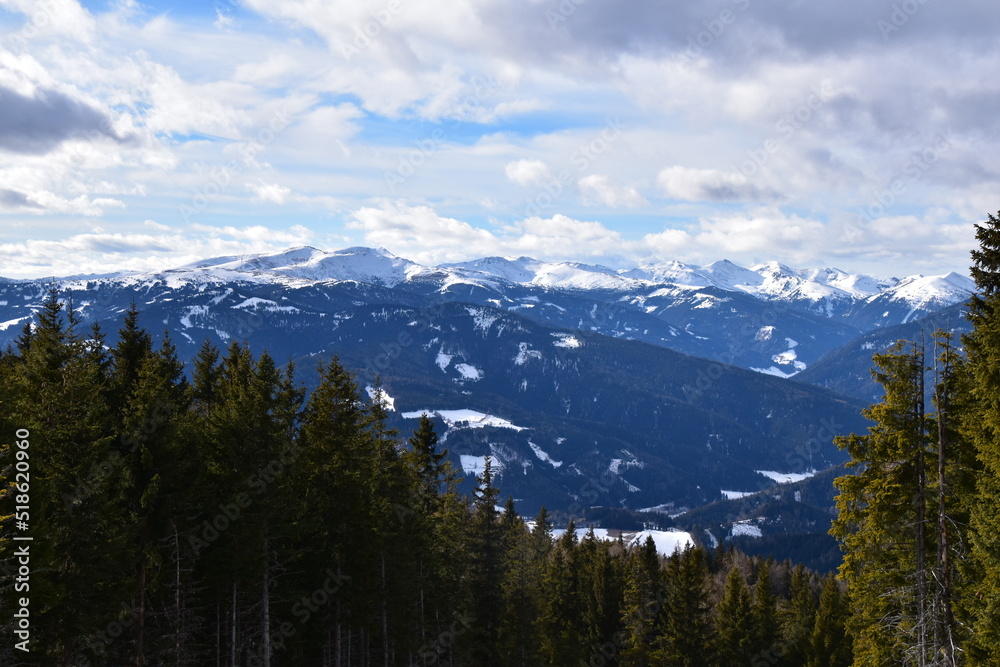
(828, 291)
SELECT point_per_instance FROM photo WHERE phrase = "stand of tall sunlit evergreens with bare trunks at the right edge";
(920, 517)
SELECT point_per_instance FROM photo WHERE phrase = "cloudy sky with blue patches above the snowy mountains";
(857, 134)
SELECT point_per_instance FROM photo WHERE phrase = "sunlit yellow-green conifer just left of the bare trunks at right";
(881, 520)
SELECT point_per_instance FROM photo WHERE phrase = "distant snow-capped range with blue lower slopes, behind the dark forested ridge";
(769, 318)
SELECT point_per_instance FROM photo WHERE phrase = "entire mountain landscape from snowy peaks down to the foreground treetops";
(654, 386)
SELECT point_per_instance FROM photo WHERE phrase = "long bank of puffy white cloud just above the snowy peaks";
(762, 234)
